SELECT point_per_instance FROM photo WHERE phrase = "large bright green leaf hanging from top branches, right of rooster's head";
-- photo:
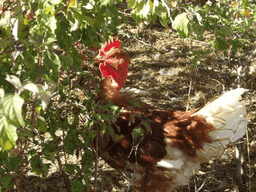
(180, 24)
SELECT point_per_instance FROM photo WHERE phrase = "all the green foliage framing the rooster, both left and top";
(39, 57)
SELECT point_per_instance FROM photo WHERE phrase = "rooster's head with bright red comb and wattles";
(114, 63)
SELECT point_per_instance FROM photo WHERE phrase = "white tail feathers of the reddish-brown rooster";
(227, 114)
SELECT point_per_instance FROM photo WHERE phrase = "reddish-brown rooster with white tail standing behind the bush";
(173, 143)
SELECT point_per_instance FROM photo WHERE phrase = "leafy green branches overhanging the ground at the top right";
(233, 24)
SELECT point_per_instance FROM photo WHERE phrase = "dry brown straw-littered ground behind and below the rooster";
(162, 65)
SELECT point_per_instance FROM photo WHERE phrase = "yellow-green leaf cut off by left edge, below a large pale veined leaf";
(8, 135)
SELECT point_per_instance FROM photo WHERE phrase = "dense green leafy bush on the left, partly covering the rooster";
(38, 42)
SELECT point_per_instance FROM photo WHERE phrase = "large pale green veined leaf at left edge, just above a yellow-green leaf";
(12, 109)
